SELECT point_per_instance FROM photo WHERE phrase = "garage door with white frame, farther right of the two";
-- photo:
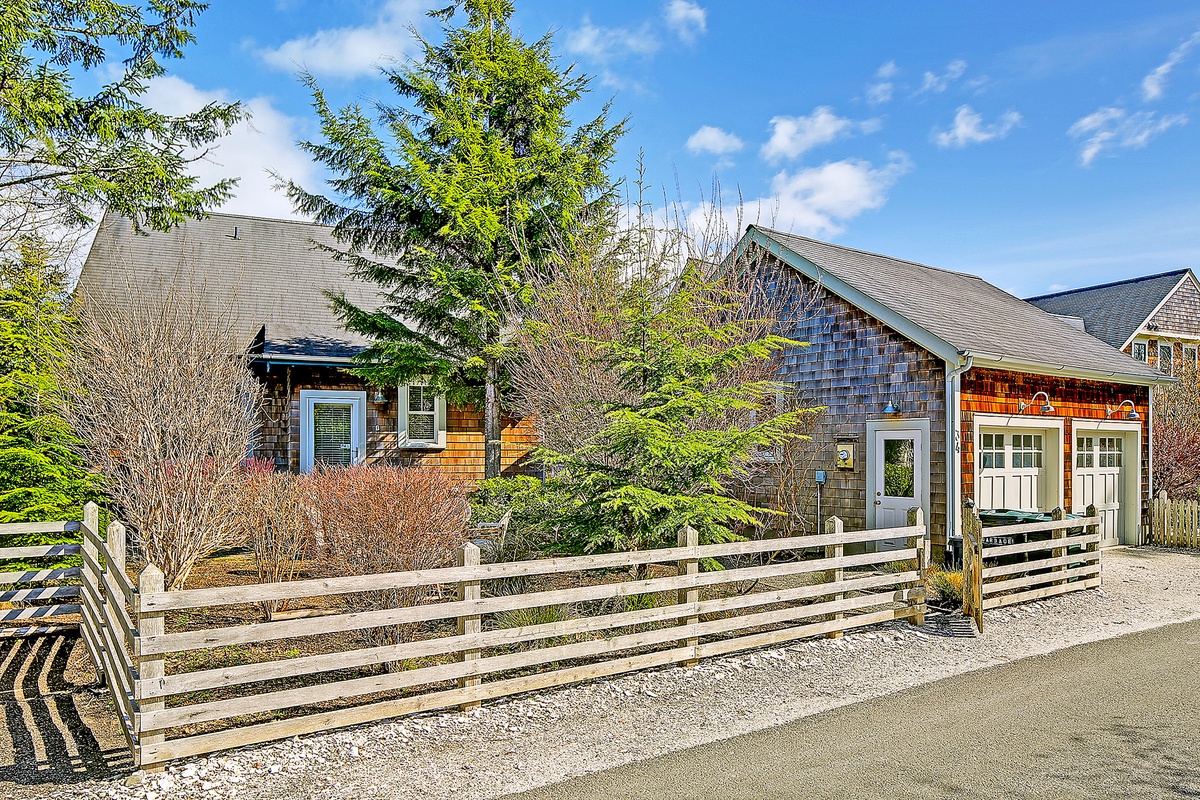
(1107, 474)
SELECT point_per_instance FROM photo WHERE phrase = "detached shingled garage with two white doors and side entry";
(943, 388)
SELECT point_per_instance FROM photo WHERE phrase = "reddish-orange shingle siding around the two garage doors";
(992, 392)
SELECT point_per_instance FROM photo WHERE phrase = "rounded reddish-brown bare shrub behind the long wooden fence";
(382, 519)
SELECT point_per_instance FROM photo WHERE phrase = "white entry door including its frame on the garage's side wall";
(898, 474)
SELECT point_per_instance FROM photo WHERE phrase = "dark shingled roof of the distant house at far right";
(1114, 312)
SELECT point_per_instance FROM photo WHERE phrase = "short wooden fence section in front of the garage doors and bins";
(1017, 564)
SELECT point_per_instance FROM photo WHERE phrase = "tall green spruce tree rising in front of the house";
(448, 197)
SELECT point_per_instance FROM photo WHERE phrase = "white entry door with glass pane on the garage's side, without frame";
(899, 458)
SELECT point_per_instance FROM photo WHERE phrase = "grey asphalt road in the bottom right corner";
(1114, 719)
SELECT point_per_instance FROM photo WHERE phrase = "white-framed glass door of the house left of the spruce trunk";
(333, 428)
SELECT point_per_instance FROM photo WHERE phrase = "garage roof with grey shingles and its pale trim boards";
(955, 315)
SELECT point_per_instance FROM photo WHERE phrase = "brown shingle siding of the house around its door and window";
(464, 455)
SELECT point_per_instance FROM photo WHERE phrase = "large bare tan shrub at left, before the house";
(159, 392)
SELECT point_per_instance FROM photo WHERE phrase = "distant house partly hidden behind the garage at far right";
(1155, 320)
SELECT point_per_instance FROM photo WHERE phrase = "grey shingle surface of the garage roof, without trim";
(964, 310)
